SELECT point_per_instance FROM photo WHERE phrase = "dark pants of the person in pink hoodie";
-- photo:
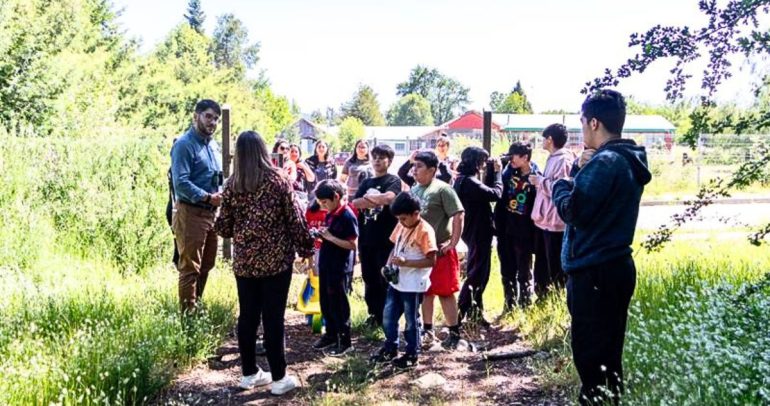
(548, 270)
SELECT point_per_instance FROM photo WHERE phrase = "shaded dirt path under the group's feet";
(459, 377)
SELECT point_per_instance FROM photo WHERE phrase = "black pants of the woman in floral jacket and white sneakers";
(263, 298)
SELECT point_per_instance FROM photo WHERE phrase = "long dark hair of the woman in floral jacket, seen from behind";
(251, 162)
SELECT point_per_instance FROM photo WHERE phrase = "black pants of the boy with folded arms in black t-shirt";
(375, 285)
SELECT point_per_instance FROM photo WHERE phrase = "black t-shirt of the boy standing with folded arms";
(377, 224)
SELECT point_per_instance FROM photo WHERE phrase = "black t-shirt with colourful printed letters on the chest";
(513, 214)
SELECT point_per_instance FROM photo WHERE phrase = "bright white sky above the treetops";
(317, 53)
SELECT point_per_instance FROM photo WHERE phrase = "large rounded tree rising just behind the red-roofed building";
(446, 96)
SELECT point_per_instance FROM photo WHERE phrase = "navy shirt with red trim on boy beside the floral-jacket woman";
(334, 260)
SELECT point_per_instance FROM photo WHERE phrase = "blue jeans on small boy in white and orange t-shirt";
(396, 304)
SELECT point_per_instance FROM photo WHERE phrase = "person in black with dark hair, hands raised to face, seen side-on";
(477, 199)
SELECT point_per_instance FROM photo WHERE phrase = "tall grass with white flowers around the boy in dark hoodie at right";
(697, 333)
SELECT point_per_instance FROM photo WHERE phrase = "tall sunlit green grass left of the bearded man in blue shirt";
(89, 309)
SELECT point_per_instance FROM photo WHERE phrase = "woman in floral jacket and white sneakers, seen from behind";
(260, 214)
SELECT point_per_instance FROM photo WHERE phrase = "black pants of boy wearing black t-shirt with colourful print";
(515, 269)
